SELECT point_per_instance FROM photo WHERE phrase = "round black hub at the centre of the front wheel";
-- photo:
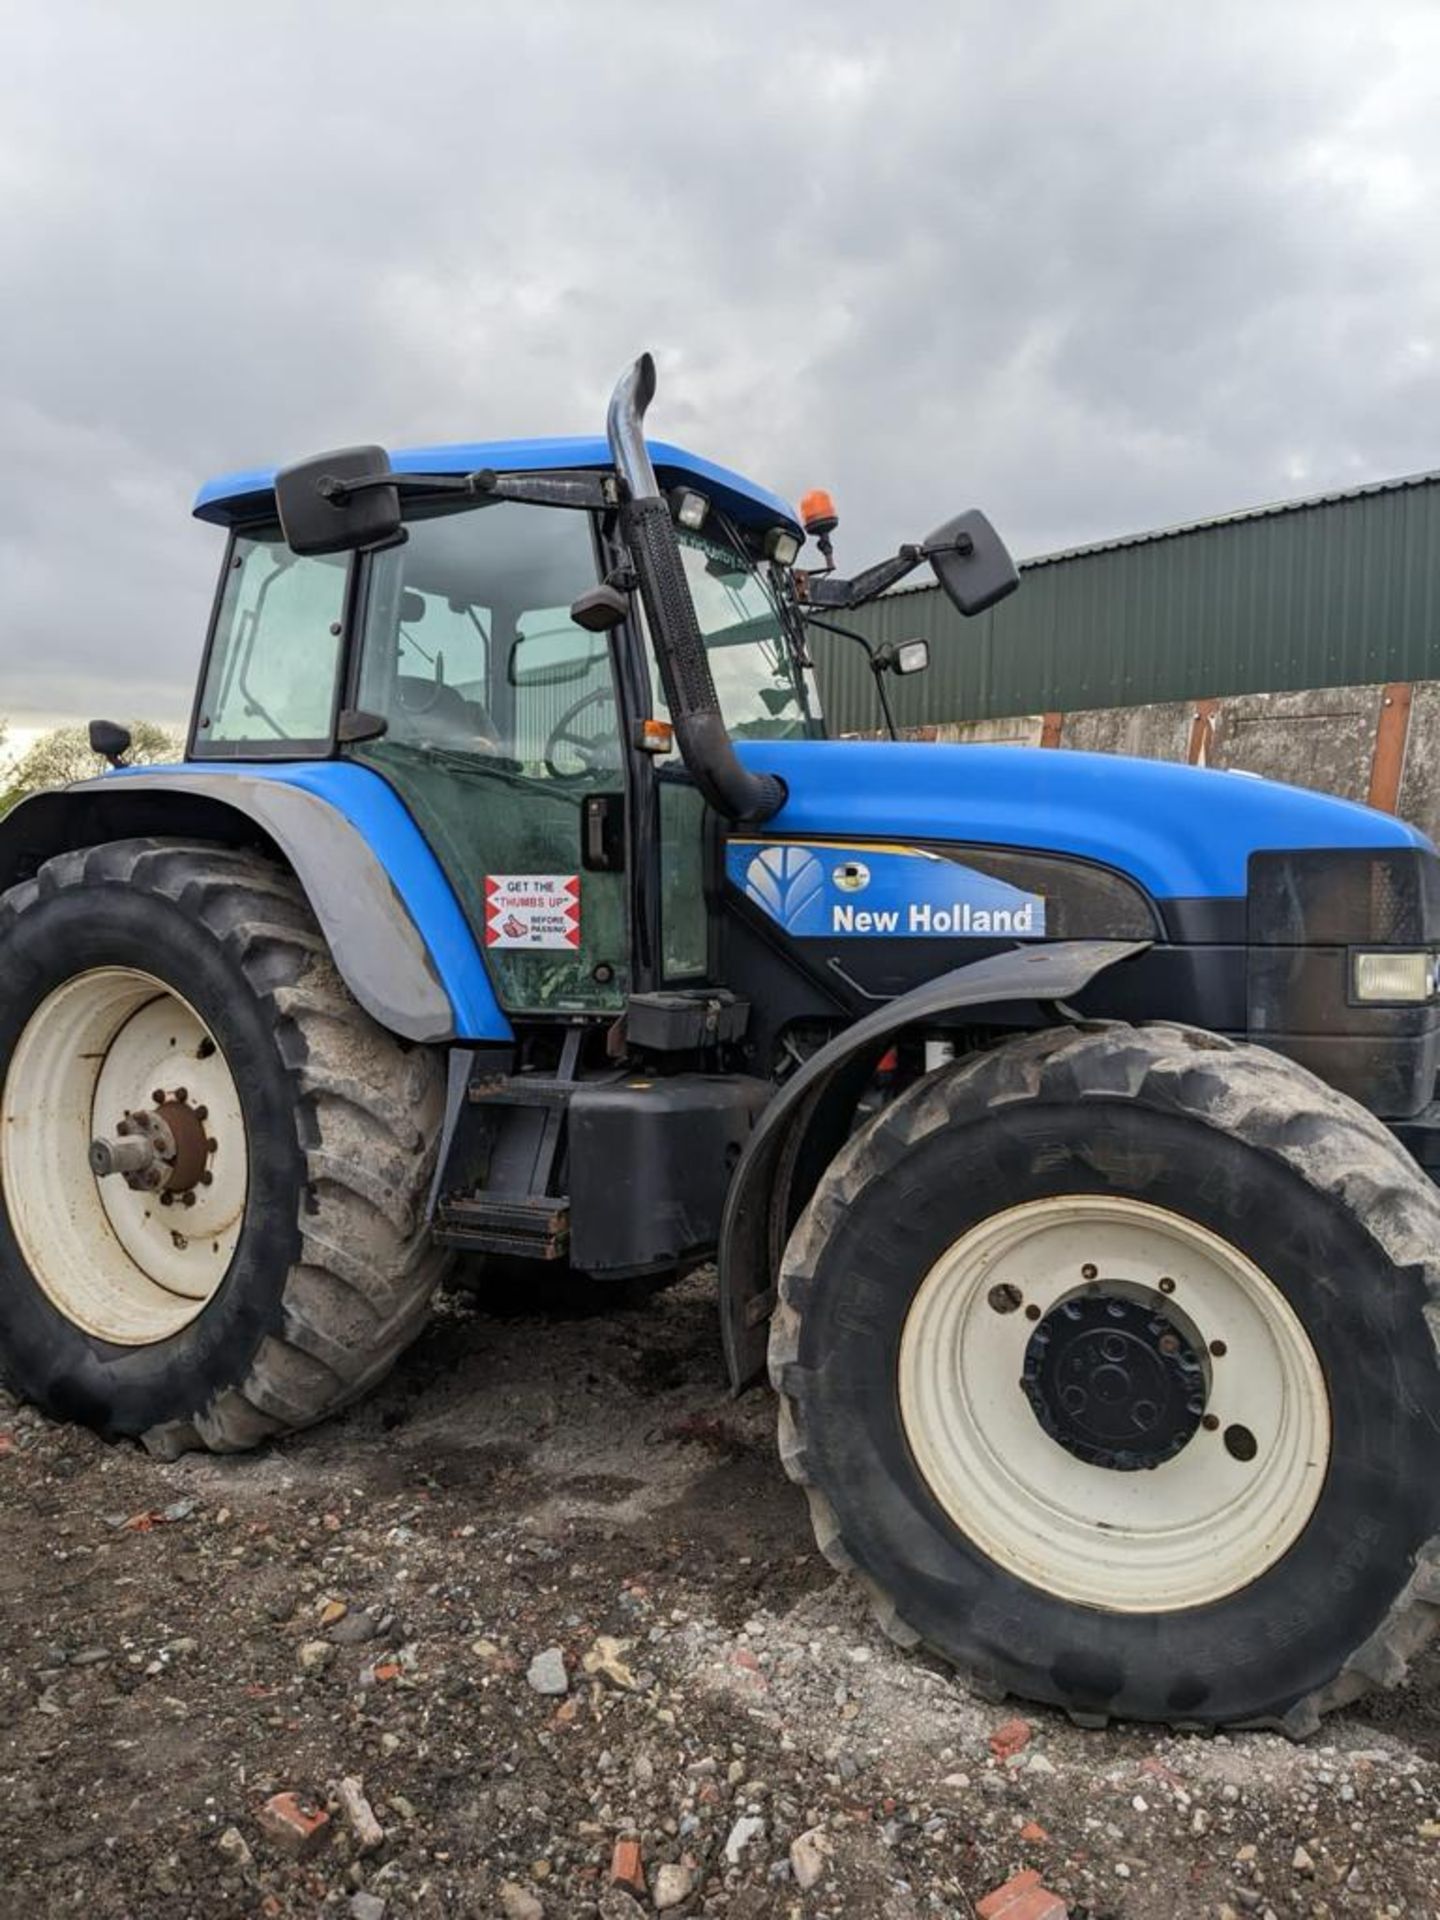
(1116, 1381)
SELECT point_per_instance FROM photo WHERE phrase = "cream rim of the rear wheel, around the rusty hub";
(116, 1262)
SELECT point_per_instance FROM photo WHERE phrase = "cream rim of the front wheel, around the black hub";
(1155, 1541)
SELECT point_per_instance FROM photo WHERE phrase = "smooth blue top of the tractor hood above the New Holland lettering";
(1182, 832)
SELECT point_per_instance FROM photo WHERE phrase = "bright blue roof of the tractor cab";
(237, 498)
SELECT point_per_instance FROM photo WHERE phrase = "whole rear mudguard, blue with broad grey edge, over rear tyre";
(387, 911)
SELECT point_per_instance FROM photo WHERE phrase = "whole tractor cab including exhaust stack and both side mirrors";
(548, 652)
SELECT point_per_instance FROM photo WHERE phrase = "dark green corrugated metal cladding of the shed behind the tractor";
(1339, 590)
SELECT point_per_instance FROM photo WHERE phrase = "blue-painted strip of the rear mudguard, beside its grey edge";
(381, 819)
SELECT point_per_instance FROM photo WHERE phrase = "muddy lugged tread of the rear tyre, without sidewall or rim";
(368, 1120)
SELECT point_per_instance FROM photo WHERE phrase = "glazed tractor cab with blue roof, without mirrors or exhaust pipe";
(450, 661)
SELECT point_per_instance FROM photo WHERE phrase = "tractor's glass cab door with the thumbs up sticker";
(502, 723)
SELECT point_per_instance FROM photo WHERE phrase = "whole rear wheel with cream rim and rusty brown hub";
(214, 1164)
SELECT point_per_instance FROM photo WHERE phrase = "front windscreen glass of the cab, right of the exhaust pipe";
(763, 692)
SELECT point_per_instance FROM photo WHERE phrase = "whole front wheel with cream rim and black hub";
(1109, 1362)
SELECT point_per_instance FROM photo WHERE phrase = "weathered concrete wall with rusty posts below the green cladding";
(1376, 744)
